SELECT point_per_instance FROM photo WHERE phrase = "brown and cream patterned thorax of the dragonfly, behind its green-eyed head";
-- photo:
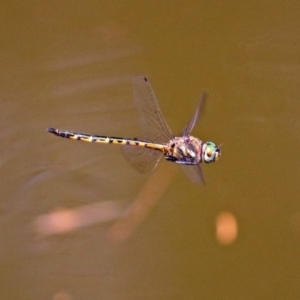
(185, 150)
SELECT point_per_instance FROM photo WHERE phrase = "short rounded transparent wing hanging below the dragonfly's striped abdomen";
(141, 159)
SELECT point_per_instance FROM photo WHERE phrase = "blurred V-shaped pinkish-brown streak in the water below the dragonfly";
(65, 220)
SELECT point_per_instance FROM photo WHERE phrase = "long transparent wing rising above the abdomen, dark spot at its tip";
(152, 123)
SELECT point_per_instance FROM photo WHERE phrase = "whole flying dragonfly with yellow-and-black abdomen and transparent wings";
(157, 138)
